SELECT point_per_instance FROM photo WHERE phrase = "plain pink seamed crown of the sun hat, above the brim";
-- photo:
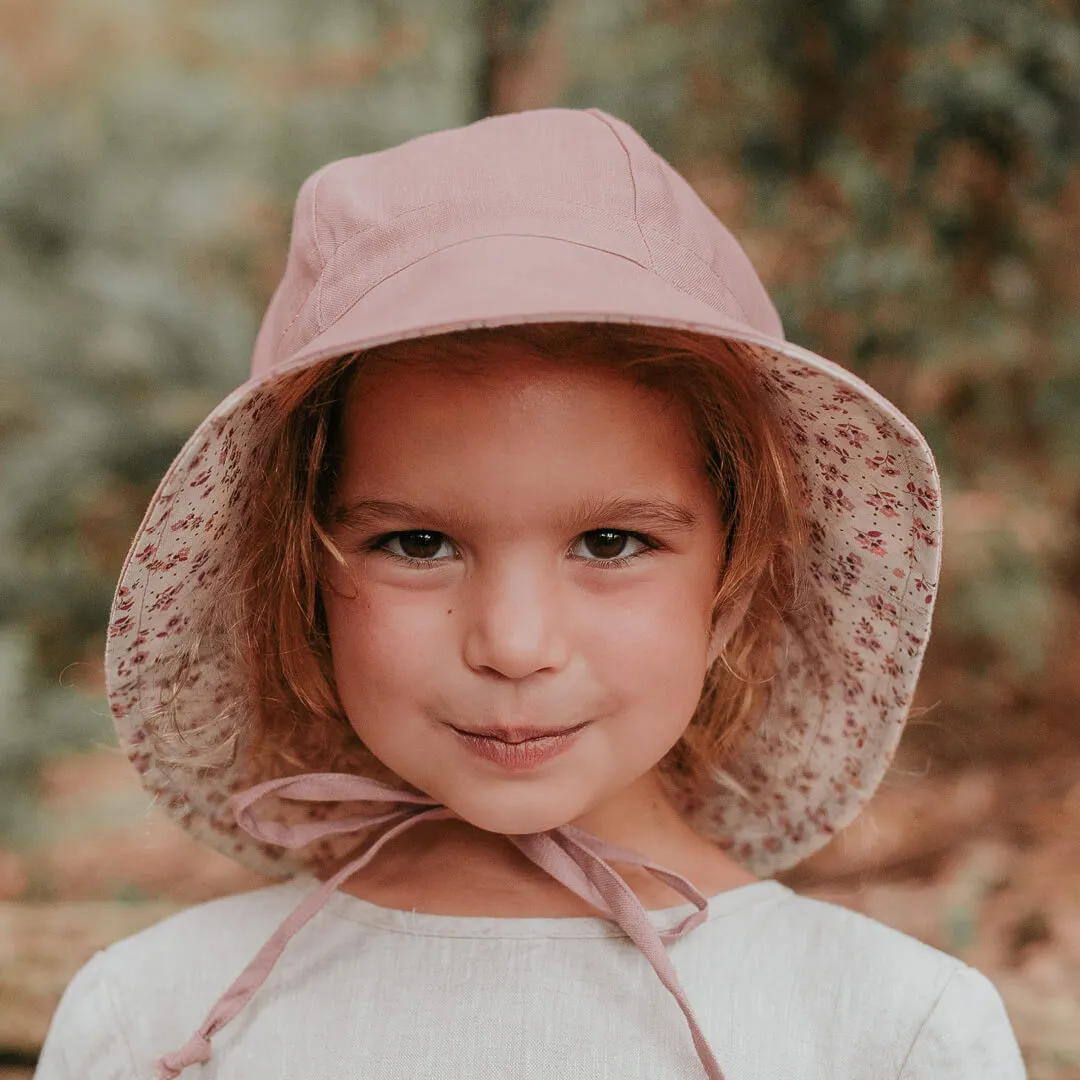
(583, 177)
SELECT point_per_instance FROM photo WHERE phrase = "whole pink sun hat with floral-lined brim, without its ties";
(560, 215)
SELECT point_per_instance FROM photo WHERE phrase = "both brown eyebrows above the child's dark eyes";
(657, 514)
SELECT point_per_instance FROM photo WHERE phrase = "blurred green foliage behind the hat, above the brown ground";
(903, 174)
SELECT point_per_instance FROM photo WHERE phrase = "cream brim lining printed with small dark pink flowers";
(849, 668)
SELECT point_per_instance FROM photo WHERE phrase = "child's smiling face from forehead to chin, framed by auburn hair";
(516, 613)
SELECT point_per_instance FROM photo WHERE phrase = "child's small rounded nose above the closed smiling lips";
(516, 622)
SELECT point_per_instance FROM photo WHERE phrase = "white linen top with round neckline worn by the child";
(786, 988)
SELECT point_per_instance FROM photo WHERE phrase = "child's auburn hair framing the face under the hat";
(271, 617)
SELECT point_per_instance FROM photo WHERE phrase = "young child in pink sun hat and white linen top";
(533, 604)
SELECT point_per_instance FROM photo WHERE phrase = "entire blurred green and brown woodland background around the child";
(904, 175)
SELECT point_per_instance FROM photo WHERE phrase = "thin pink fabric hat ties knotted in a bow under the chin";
(571, 856)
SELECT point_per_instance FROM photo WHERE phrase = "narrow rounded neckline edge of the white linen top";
(422, 924)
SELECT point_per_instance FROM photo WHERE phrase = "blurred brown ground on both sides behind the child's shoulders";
(981, 861)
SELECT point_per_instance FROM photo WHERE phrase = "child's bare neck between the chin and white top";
(452, 868)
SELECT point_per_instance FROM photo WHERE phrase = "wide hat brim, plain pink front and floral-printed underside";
(855, 652)
